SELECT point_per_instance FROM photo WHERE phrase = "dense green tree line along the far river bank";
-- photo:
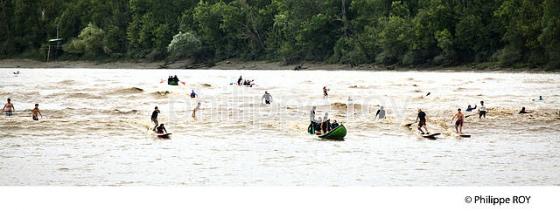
(391, 32)
